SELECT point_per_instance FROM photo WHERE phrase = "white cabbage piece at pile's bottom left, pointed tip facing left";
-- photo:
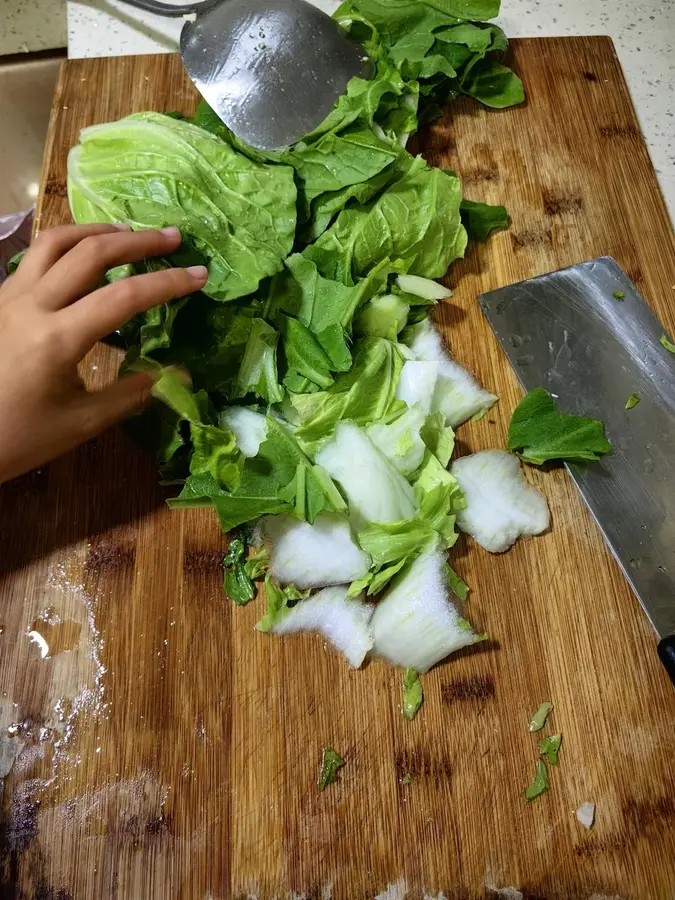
(342, 621)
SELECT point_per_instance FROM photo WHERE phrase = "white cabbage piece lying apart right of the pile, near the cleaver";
(501, 505)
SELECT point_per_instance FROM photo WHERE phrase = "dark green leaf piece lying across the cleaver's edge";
(539, 433)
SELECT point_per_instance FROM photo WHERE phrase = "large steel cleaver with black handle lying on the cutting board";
(586, 335)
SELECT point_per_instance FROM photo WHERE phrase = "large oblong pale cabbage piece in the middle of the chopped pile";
(376, 491)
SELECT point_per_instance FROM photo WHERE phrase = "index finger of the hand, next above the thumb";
(108, 308)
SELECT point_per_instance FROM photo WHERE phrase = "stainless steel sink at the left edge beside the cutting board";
(26, 87)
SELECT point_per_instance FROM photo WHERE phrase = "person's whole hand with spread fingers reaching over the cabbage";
(52, 312)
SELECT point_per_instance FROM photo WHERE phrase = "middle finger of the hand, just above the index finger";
(83, 268)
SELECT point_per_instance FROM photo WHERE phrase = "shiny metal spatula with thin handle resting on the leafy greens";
(272, 70)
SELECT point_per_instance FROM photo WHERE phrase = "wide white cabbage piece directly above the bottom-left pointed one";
(312, 556)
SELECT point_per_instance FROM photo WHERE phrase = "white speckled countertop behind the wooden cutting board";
(643, 32)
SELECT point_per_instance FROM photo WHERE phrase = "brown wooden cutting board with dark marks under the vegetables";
(163, 749)
